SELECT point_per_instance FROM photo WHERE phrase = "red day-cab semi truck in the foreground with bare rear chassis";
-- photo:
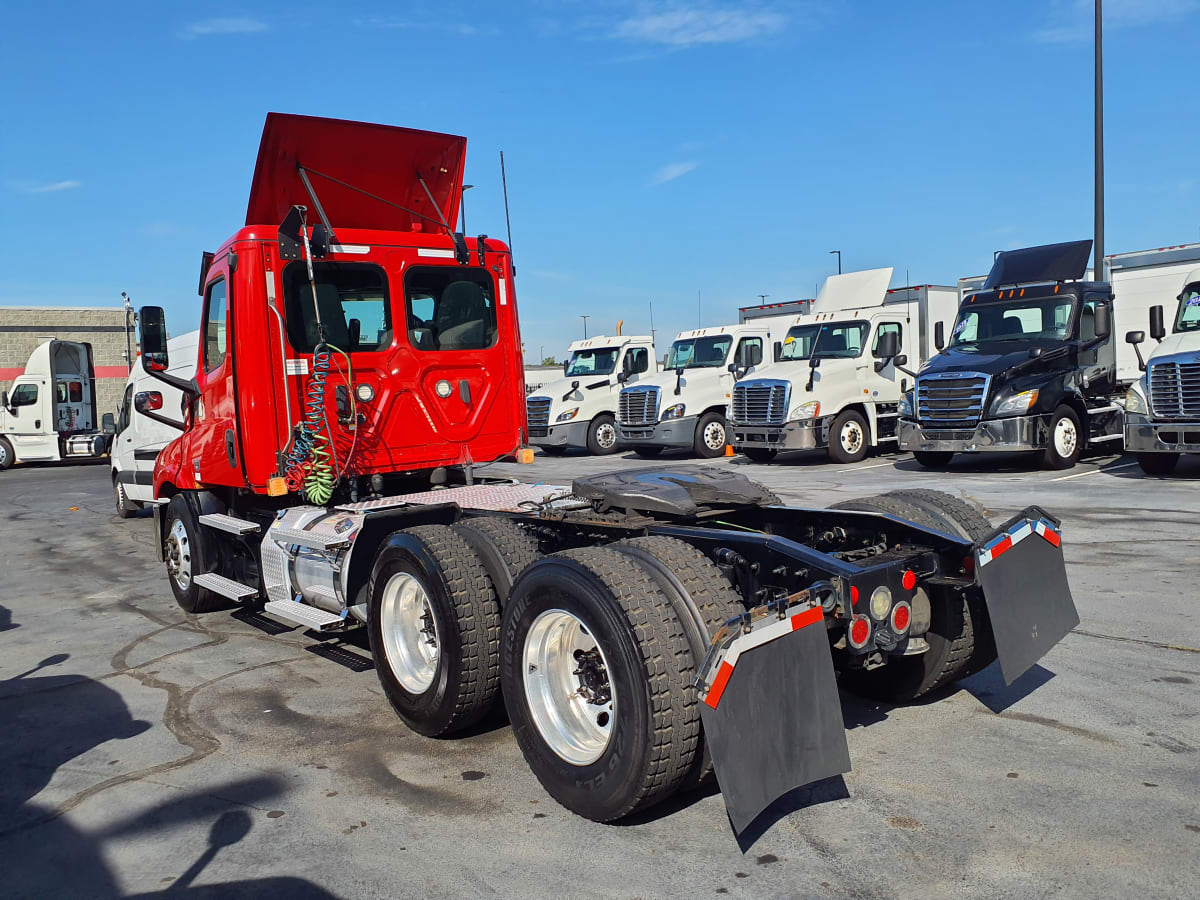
(359, 357)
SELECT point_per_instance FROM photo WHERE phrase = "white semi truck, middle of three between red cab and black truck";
(683, 407)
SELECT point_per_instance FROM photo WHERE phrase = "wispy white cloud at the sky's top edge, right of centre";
(692, 25)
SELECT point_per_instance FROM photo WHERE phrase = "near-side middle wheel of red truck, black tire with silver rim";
(434, 625)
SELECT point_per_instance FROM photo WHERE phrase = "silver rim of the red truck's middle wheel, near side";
(410, 633)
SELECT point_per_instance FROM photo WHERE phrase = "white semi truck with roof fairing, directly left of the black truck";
(839, 377)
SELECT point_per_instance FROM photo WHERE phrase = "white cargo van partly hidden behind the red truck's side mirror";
(139, 437)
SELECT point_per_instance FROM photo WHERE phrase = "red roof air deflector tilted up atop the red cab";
(382, 160)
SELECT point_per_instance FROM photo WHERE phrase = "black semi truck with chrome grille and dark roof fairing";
(1030, 365)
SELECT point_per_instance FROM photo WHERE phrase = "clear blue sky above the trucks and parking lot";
(655, 149)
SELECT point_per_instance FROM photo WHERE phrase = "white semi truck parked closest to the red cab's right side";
(580, 411)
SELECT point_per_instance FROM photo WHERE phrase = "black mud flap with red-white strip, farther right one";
(1024, 580)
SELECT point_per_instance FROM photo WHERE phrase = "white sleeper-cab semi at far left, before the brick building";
(50, 413)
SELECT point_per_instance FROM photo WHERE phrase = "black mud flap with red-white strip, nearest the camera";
(771, 709)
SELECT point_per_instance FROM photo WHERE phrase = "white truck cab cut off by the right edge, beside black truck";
(1163, 407)
